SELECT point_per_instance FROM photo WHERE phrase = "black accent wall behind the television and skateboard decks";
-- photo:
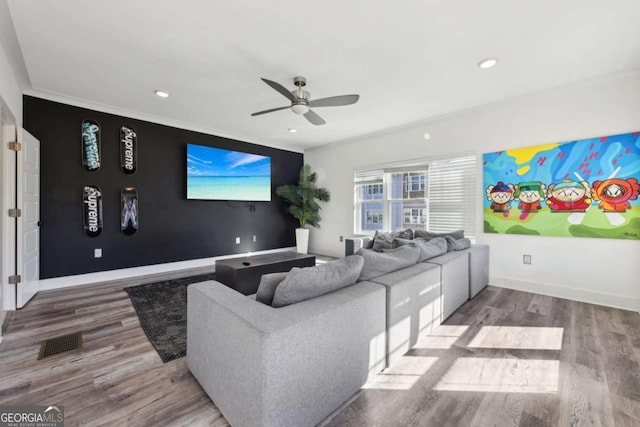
(171, 227)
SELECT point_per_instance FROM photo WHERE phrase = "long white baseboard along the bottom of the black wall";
(135, 272)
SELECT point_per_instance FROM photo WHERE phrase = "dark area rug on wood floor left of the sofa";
(162, 310)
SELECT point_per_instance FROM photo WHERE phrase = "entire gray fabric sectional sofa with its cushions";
(265, 364)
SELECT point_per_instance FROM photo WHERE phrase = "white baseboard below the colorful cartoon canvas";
(553, 290)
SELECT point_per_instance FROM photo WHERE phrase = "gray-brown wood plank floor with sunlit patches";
(506, 358)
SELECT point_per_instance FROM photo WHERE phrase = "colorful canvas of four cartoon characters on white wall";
(585, 188)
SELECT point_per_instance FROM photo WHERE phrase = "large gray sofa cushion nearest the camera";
(309, 282)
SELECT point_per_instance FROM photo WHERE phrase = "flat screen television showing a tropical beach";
(219, 174)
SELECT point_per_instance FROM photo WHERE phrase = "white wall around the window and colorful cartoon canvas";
(603, 271)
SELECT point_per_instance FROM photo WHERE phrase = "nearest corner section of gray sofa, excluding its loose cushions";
(267, 366)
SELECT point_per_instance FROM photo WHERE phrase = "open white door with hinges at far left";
(28, 242)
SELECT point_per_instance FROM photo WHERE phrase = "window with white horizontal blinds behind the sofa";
(437, 195)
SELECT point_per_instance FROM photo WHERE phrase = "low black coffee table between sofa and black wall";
(243, 274)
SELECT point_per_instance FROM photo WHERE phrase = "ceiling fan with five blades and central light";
(301, 102)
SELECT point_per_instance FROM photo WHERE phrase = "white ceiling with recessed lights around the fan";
(409, 60)
